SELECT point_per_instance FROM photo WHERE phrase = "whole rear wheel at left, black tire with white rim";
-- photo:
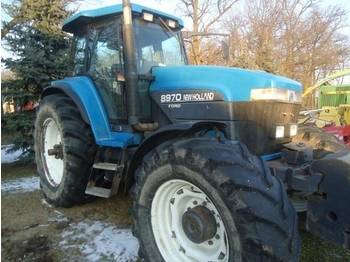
(64, 150)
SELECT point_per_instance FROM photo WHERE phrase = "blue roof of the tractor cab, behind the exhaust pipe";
(83, 18)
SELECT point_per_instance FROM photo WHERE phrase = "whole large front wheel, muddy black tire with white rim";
(202, 199)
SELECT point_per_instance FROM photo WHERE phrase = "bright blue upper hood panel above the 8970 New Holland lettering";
(233, 84)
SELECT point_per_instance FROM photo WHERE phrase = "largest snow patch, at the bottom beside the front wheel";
(101, 241)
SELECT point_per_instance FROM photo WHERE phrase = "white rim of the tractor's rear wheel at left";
(53, 166)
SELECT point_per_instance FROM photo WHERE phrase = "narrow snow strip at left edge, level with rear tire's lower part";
(21, 185)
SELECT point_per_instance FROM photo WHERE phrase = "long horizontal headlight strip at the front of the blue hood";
(273, 93)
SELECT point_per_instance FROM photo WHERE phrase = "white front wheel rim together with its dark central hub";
(196, 224)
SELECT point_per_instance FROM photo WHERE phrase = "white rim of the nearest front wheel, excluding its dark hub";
(172, 199)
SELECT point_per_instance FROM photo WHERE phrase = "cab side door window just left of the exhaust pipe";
(104, 63)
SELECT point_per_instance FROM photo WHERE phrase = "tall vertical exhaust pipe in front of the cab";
(131, 74)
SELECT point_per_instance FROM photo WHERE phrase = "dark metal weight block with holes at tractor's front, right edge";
(328, 213)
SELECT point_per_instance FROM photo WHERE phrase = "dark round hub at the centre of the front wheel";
(199, 224)
